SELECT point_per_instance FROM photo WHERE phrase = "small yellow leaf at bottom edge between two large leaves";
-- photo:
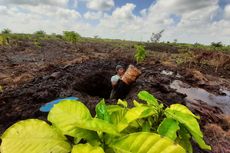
(86, 148)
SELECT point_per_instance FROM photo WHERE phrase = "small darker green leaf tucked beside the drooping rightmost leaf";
(169, 128)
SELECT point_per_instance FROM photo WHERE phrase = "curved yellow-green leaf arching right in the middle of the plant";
(134, 114)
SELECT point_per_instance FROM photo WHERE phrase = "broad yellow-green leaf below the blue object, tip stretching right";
(69, 115)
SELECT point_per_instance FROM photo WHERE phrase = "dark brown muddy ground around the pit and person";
(33, 75)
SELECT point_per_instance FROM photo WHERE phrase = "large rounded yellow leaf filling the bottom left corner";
(33, 136)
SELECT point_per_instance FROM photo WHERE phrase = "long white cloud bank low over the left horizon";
(42, 17)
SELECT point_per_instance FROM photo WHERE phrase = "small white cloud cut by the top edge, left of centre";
(100, 5)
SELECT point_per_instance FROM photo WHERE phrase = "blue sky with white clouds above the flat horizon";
(188, 21)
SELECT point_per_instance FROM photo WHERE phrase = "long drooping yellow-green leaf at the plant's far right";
(190, 122)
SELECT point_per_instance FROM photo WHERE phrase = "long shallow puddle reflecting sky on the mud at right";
(194, 94)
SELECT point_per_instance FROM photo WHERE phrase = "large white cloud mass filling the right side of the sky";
(195, 24)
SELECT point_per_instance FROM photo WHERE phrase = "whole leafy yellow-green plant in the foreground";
(146, 127)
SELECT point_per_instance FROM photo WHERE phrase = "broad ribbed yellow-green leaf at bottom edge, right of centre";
(145, 142)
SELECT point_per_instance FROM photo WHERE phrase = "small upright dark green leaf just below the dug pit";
(101, 111)
